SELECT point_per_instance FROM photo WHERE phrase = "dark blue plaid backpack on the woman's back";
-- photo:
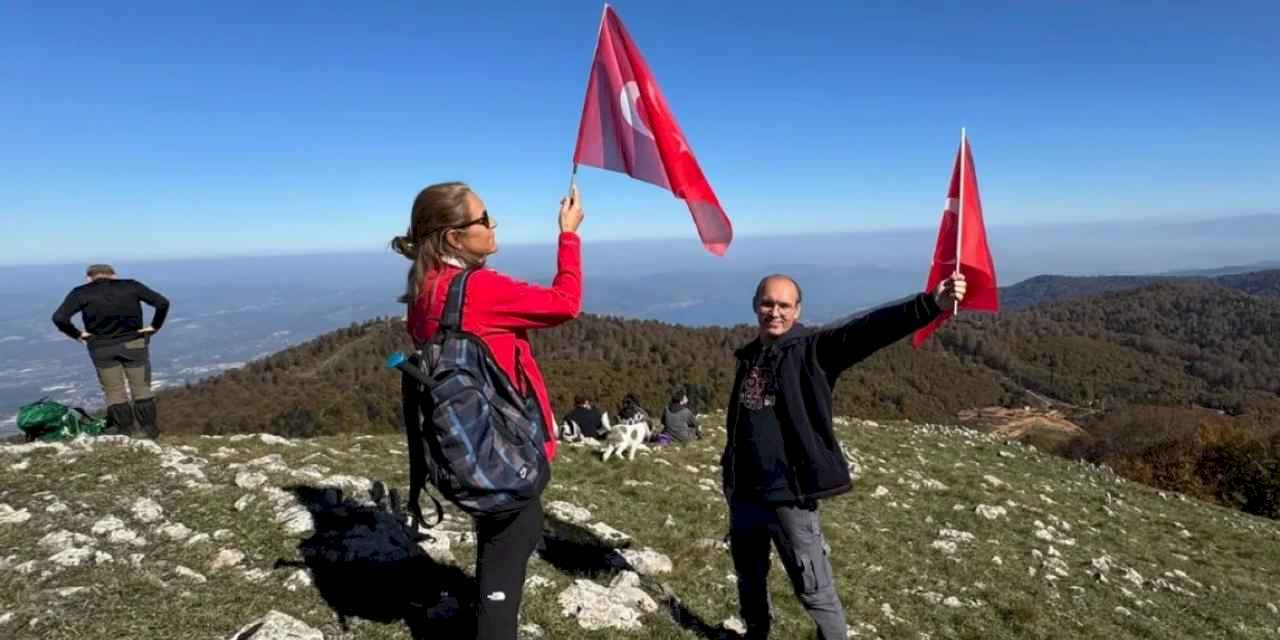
(470, 433)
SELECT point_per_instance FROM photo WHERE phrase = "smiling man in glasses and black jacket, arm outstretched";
(783, 455)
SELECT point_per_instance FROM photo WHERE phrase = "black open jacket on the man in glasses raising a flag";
(806, 371)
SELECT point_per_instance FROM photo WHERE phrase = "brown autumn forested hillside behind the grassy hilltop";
(1177, 383)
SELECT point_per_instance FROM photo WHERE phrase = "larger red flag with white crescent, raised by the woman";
(628, 127)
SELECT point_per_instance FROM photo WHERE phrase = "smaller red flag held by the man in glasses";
(976, 262)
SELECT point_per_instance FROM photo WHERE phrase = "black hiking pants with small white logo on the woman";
(504, 547)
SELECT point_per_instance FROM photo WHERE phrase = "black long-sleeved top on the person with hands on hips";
(112, 310)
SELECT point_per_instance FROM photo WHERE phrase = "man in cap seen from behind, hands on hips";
(118, 342)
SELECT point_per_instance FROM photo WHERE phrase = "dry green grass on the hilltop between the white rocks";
(1205, 572)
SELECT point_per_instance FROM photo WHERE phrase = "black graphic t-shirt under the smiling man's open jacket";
(760, 460)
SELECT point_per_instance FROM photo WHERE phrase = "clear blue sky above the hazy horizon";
(140, 130)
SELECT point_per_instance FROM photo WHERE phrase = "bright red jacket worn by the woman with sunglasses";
(502, 310)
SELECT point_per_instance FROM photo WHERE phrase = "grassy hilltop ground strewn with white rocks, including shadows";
(949, 534)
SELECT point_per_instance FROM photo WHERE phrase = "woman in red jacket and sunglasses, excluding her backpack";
(450, 231)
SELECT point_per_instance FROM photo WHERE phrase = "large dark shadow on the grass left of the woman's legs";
(365, 563)
